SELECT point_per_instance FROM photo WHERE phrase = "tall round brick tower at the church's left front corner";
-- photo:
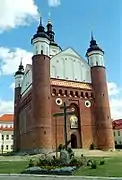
(41, 95)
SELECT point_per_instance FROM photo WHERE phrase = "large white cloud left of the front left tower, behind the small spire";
(10, 59)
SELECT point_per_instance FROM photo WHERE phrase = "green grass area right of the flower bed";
(112, 167)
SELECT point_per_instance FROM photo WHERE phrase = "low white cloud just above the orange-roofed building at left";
(6, 107)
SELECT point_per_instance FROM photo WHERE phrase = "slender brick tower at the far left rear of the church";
(18, 82)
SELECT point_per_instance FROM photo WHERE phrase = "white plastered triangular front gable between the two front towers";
(68, 65)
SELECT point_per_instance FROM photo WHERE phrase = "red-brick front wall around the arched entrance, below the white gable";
(86, 130)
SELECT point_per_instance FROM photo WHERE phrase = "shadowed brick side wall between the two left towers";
(26, 121)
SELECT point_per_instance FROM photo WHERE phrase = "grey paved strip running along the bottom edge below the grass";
(31, 177)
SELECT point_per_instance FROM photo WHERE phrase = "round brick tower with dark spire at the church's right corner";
(104, 132)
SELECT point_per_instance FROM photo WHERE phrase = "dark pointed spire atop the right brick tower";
(93, 45)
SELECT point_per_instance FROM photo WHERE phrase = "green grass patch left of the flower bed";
(12, 166)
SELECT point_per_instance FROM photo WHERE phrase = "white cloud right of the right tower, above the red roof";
(115, 96)
